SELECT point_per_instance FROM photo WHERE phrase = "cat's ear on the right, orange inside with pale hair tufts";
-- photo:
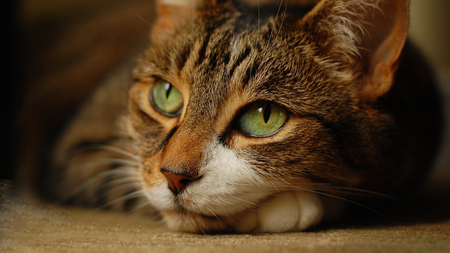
(373, 31)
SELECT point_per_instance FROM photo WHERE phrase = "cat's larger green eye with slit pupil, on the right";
(262, 118)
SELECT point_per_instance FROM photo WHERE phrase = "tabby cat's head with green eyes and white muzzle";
(236, 101)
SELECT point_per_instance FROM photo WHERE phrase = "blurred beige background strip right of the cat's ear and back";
(430, 30)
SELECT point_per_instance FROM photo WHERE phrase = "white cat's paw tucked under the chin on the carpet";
(283, 212)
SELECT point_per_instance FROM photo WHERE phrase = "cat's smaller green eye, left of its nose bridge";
(166, 98)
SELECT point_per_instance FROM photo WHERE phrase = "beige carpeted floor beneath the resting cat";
(27, 226)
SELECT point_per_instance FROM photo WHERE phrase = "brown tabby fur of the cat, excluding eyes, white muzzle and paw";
(352, 124)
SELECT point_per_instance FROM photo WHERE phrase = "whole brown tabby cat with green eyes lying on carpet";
(254, 116)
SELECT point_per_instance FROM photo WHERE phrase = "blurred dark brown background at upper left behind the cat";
(55, 54)
